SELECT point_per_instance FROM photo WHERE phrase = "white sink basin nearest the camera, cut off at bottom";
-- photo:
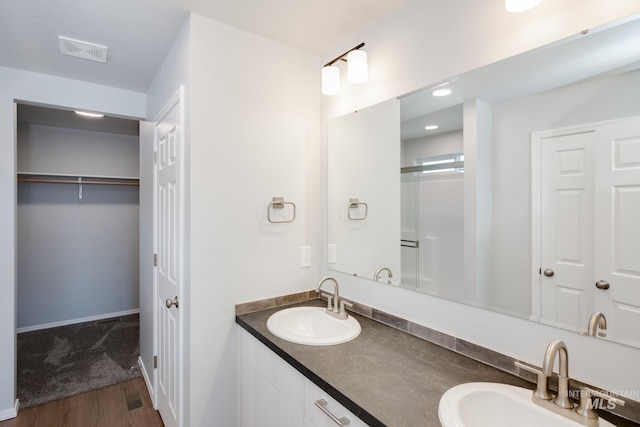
(497, 405)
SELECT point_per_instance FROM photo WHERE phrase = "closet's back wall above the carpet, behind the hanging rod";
(76, 260)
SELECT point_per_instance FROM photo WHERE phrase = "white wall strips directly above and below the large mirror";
(406, 51)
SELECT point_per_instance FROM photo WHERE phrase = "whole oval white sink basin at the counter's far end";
(312, 326)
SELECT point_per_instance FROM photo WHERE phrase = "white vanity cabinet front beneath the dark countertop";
(274, 394)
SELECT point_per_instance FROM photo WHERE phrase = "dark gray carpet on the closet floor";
(68, 360)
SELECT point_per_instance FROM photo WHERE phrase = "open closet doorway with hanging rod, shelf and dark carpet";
(77, 252)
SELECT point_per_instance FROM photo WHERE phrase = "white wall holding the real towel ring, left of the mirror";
(253, 133)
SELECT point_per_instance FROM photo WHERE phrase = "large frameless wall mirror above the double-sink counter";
(524, 199)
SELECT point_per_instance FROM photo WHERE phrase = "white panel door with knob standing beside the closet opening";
(169, 139)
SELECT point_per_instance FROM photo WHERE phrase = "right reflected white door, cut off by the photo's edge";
(617, 236)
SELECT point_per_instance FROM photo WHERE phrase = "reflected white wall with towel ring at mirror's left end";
(364, 192)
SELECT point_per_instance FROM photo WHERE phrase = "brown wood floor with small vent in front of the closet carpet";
(121, 405)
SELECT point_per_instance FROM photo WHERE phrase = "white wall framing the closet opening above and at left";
(39, 88)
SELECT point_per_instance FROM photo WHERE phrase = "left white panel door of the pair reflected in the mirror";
(566, 228)
